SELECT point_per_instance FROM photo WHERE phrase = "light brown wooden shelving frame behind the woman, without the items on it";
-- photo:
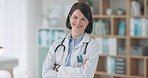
(136, 65)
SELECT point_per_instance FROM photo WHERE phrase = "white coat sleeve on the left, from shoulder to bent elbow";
(48, 64)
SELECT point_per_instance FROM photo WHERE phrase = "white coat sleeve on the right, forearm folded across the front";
(86, 71)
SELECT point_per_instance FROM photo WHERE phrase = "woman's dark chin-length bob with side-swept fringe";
(85, 9)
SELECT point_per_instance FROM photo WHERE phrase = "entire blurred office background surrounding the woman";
(29, 27)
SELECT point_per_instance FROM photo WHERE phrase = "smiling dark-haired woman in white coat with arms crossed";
(76, 55)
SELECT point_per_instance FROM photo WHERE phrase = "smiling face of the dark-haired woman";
(78, 21)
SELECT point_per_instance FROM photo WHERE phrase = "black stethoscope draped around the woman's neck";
(62, 45)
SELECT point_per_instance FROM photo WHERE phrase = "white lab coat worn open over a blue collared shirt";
(73, 71)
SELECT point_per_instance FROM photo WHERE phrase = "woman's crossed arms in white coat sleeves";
(87, 69)
